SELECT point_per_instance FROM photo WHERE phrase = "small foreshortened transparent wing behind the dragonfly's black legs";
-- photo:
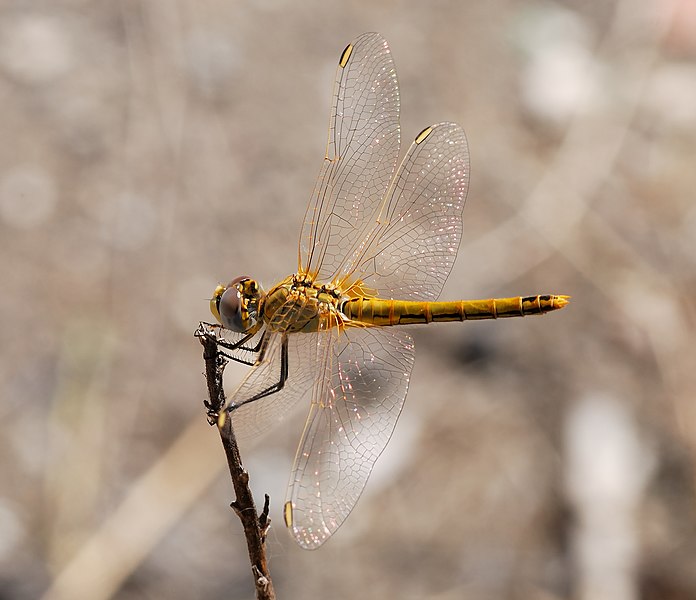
(253, 419)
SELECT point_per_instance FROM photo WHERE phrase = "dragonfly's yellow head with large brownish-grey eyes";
(235, 305)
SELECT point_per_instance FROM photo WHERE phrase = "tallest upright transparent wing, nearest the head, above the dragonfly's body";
(361, 155)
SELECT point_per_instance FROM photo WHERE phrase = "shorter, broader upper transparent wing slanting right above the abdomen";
(410, 252)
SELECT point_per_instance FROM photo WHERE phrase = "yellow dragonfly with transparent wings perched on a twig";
(377, 244)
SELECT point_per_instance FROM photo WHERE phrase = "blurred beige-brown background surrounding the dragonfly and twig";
(152, 149)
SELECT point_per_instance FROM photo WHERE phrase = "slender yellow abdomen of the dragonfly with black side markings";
(377, 311)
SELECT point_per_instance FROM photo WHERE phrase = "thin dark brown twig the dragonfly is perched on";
(255, 526)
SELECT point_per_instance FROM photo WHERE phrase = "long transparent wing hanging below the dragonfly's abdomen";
(355, 405)
